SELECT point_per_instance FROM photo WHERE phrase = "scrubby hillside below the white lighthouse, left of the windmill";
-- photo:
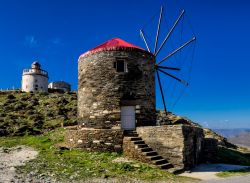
(33, 113)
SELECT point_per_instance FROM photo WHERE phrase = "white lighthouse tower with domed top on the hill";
(35, 79)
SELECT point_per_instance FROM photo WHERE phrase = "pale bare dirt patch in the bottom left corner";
(11, 158)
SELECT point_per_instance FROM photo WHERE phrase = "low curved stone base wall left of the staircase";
(91, 139)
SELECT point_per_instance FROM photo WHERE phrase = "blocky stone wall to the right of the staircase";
(181, 145)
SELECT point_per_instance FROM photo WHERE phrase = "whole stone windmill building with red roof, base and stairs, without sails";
(116, 75)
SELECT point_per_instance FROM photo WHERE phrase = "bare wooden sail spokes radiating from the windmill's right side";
(159, 68)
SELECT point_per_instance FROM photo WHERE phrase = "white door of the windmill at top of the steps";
(128, 117)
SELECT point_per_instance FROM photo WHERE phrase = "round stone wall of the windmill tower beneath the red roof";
(102, 90)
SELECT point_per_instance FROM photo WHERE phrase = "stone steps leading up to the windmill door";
(144, 152)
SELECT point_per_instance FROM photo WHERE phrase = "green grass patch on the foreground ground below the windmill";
(68, 165)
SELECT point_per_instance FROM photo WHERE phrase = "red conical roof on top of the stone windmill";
(111, 45)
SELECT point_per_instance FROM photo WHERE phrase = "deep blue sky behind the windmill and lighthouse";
(57, 32)
